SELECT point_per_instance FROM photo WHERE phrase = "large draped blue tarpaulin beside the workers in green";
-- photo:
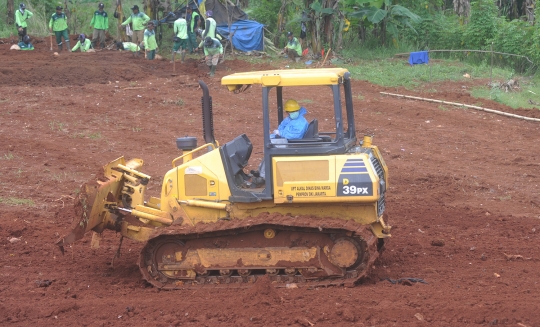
(248, 35)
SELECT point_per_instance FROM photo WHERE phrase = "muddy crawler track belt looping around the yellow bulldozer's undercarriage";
(285, 274)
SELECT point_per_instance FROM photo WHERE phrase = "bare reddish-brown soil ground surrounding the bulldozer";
(463, 199)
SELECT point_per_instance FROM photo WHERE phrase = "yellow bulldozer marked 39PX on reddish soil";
(316, 218)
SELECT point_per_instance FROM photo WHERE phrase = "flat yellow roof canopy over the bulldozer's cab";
(296, 77)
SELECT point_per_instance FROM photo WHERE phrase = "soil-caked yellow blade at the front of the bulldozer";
(90, 206)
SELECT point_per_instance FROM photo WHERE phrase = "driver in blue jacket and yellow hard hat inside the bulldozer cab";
(294, 126)
